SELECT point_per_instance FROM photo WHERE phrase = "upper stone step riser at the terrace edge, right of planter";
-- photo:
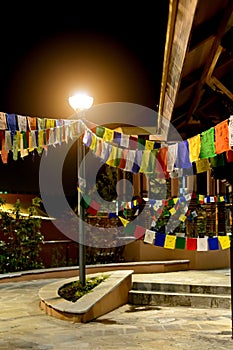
(176, 287)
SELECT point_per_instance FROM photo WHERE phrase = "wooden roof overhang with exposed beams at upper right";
(197, 78)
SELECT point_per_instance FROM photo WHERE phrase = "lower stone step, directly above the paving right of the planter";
(195, 300)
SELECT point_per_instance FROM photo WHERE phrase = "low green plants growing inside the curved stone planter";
(74, 290)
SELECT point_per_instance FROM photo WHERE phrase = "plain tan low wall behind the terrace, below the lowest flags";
(212, 259)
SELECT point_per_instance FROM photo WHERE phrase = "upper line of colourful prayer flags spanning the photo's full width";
(162, 159)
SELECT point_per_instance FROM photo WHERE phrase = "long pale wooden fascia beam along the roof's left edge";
(180, 20)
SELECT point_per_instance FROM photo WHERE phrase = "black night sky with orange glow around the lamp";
(113, 53)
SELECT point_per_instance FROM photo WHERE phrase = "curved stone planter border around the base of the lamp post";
(107, 296)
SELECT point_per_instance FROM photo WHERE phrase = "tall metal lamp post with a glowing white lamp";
(81, 102)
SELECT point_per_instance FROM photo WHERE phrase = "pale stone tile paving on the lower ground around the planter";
(23, 325)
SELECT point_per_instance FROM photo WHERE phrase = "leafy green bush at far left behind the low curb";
(22, 238)
